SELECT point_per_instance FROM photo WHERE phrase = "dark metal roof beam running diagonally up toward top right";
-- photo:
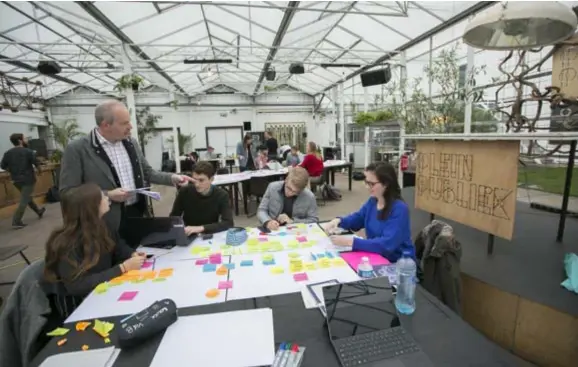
(424, 36)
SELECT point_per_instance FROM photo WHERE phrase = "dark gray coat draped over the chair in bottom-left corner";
(23, 318)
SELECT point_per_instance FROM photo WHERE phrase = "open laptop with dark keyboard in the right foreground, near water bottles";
(364, 327)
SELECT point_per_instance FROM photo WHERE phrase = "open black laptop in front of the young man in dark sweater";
(158, 232)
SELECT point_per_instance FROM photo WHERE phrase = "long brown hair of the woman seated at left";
(83, 233)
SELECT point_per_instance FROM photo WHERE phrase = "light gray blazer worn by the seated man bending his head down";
(304, 208)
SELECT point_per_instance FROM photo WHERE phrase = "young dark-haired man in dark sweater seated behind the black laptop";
(205, 208)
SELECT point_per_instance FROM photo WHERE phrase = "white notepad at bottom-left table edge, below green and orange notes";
(104, 357)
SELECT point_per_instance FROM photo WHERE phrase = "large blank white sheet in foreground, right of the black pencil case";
(219, 340)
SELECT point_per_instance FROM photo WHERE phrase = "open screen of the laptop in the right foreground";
(359, 307)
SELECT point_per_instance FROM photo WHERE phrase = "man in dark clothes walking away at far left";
(20, 161)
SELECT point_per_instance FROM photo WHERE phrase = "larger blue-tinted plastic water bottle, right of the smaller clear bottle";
(406, 280)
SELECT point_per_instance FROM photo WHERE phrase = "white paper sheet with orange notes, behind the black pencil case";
(186, 276)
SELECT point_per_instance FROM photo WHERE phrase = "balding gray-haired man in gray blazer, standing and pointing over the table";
(109, 157)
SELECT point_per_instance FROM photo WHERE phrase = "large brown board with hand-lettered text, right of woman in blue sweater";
(463, 185)
